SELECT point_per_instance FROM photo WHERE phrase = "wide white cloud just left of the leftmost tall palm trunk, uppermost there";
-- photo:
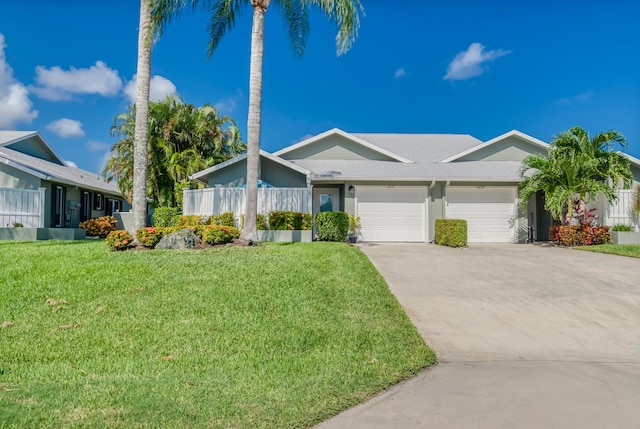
(56, 84)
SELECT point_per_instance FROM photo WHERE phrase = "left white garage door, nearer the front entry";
(392, 213)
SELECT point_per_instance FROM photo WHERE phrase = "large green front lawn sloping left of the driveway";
(273, 336)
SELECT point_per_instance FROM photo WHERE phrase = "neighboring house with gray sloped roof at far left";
(38, 189)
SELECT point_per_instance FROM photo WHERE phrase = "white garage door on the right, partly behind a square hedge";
(490, 211)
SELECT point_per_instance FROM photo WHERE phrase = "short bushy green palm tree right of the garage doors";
(578, 169)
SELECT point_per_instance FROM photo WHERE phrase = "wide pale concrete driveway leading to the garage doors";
(527, 337)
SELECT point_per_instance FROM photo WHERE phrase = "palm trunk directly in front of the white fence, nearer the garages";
(249, 232)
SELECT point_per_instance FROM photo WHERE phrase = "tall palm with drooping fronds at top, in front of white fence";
(345, 13)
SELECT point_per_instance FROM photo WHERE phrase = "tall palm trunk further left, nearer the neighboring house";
(141, 139)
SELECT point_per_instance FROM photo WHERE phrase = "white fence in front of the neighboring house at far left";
(25, 206)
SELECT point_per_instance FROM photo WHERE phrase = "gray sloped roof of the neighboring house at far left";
(47, 170)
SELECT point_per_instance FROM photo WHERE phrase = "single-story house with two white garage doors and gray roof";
(399, 184)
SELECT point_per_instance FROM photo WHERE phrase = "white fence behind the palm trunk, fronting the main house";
(213, 201)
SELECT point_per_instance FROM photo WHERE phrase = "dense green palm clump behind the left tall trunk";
(182, 140)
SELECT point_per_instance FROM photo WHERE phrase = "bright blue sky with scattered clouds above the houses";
(468, 67)
